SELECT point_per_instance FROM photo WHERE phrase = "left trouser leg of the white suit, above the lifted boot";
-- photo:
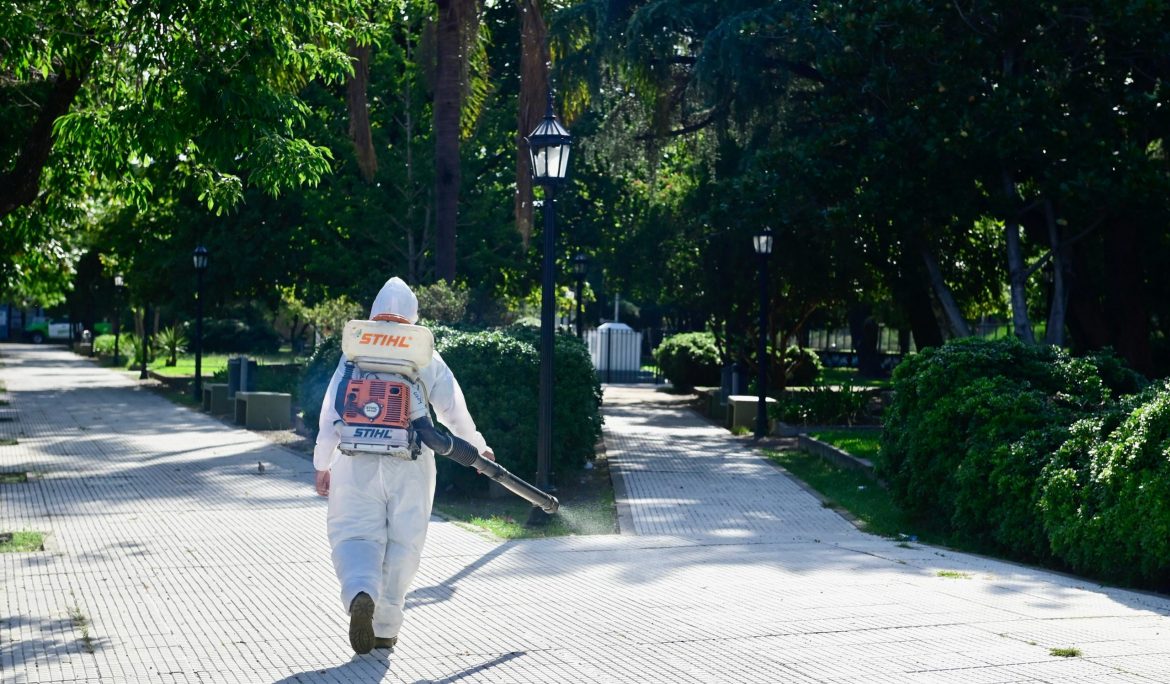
(357, 526)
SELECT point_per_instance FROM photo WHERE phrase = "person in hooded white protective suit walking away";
(378, 505)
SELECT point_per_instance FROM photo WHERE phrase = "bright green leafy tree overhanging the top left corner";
(94, 94)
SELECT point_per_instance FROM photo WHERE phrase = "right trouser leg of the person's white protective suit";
(410, 487)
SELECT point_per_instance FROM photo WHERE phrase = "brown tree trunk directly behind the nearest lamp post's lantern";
(534, 87)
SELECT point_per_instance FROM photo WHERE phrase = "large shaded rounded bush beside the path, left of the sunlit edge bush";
(971, 430)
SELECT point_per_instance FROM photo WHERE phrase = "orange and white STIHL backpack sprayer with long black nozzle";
(384, 409)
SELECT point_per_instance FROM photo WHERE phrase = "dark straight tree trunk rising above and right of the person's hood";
(449, 102)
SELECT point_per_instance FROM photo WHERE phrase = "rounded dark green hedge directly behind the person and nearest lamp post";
(499, 372)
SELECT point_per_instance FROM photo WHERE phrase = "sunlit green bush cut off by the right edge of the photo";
(1104, 502)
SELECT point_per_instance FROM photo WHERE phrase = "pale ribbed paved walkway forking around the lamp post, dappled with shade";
(174, 559)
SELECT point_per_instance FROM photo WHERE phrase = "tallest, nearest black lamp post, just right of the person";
(548, 148)
